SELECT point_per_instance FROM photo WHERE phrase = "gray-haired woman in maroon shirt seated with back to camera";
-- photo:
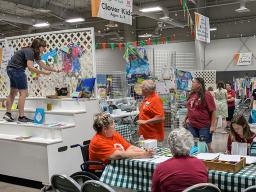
(181, 171)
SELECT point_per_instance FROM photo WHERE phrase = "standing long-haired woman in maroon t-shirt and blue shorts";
(201, 115)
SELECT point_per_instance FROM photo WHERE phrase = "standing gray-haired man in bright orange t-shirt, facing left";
(151, 115)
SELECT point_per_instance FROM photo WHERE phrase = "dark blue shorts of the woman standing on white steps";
(18, 78)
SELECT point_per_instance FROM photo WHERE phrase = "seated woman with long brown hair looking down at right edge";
(239, 132)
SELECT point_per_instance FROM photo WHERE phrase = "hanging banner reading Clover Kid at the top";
(114, 10)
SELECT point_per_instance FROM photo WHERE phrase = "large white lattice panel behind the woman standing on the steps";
(45, 84)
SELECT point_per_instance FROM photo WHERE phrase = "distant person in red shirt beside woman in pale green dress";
(231, 102)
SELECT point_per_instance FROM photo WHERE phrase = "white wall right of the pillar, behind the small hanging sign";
(220, 54)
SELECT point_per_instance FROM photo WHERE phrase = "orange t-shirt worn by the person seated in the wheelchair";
(102, 147)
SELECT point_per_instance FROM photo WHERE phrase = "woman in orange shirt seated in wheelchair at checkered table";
(107, 144)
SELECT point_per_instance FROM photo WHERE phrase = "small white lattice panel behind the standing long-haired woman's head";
(209, 77)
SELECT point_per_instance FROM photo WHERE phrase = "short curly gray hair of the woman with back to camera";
(180, 142)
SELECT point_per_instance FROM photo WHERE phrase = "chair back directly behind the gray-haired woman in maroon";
(203, 187)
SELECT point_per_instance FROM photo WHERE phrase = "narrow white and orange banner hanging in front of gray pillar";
(202, 28)
